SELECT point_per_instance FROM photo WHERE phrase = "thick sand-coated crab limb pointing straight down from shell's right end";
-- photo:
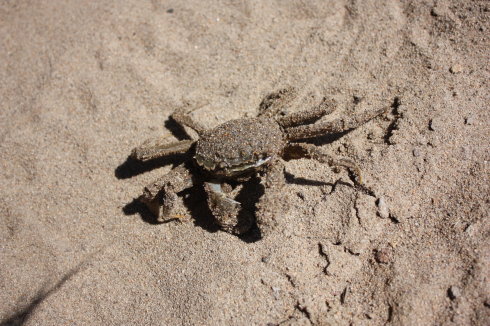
(272, 203)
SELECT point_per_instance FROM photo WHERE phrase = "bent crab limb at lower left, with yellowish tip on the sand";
(160, 196)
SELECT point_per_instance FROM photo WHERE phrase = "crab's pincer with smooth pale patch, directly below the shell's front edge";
(229, 213)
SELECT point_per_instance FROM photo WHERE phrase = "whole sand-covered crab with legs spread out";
(238, 150)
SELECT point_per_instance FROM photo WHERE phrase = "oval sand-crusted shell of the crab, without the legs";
(238, 147)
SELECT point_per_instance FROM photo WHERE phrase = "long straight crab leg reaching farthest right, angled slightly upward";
(332, 127)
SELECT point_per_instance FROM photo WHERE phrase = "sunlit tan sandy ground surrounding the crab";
(83, 82)
